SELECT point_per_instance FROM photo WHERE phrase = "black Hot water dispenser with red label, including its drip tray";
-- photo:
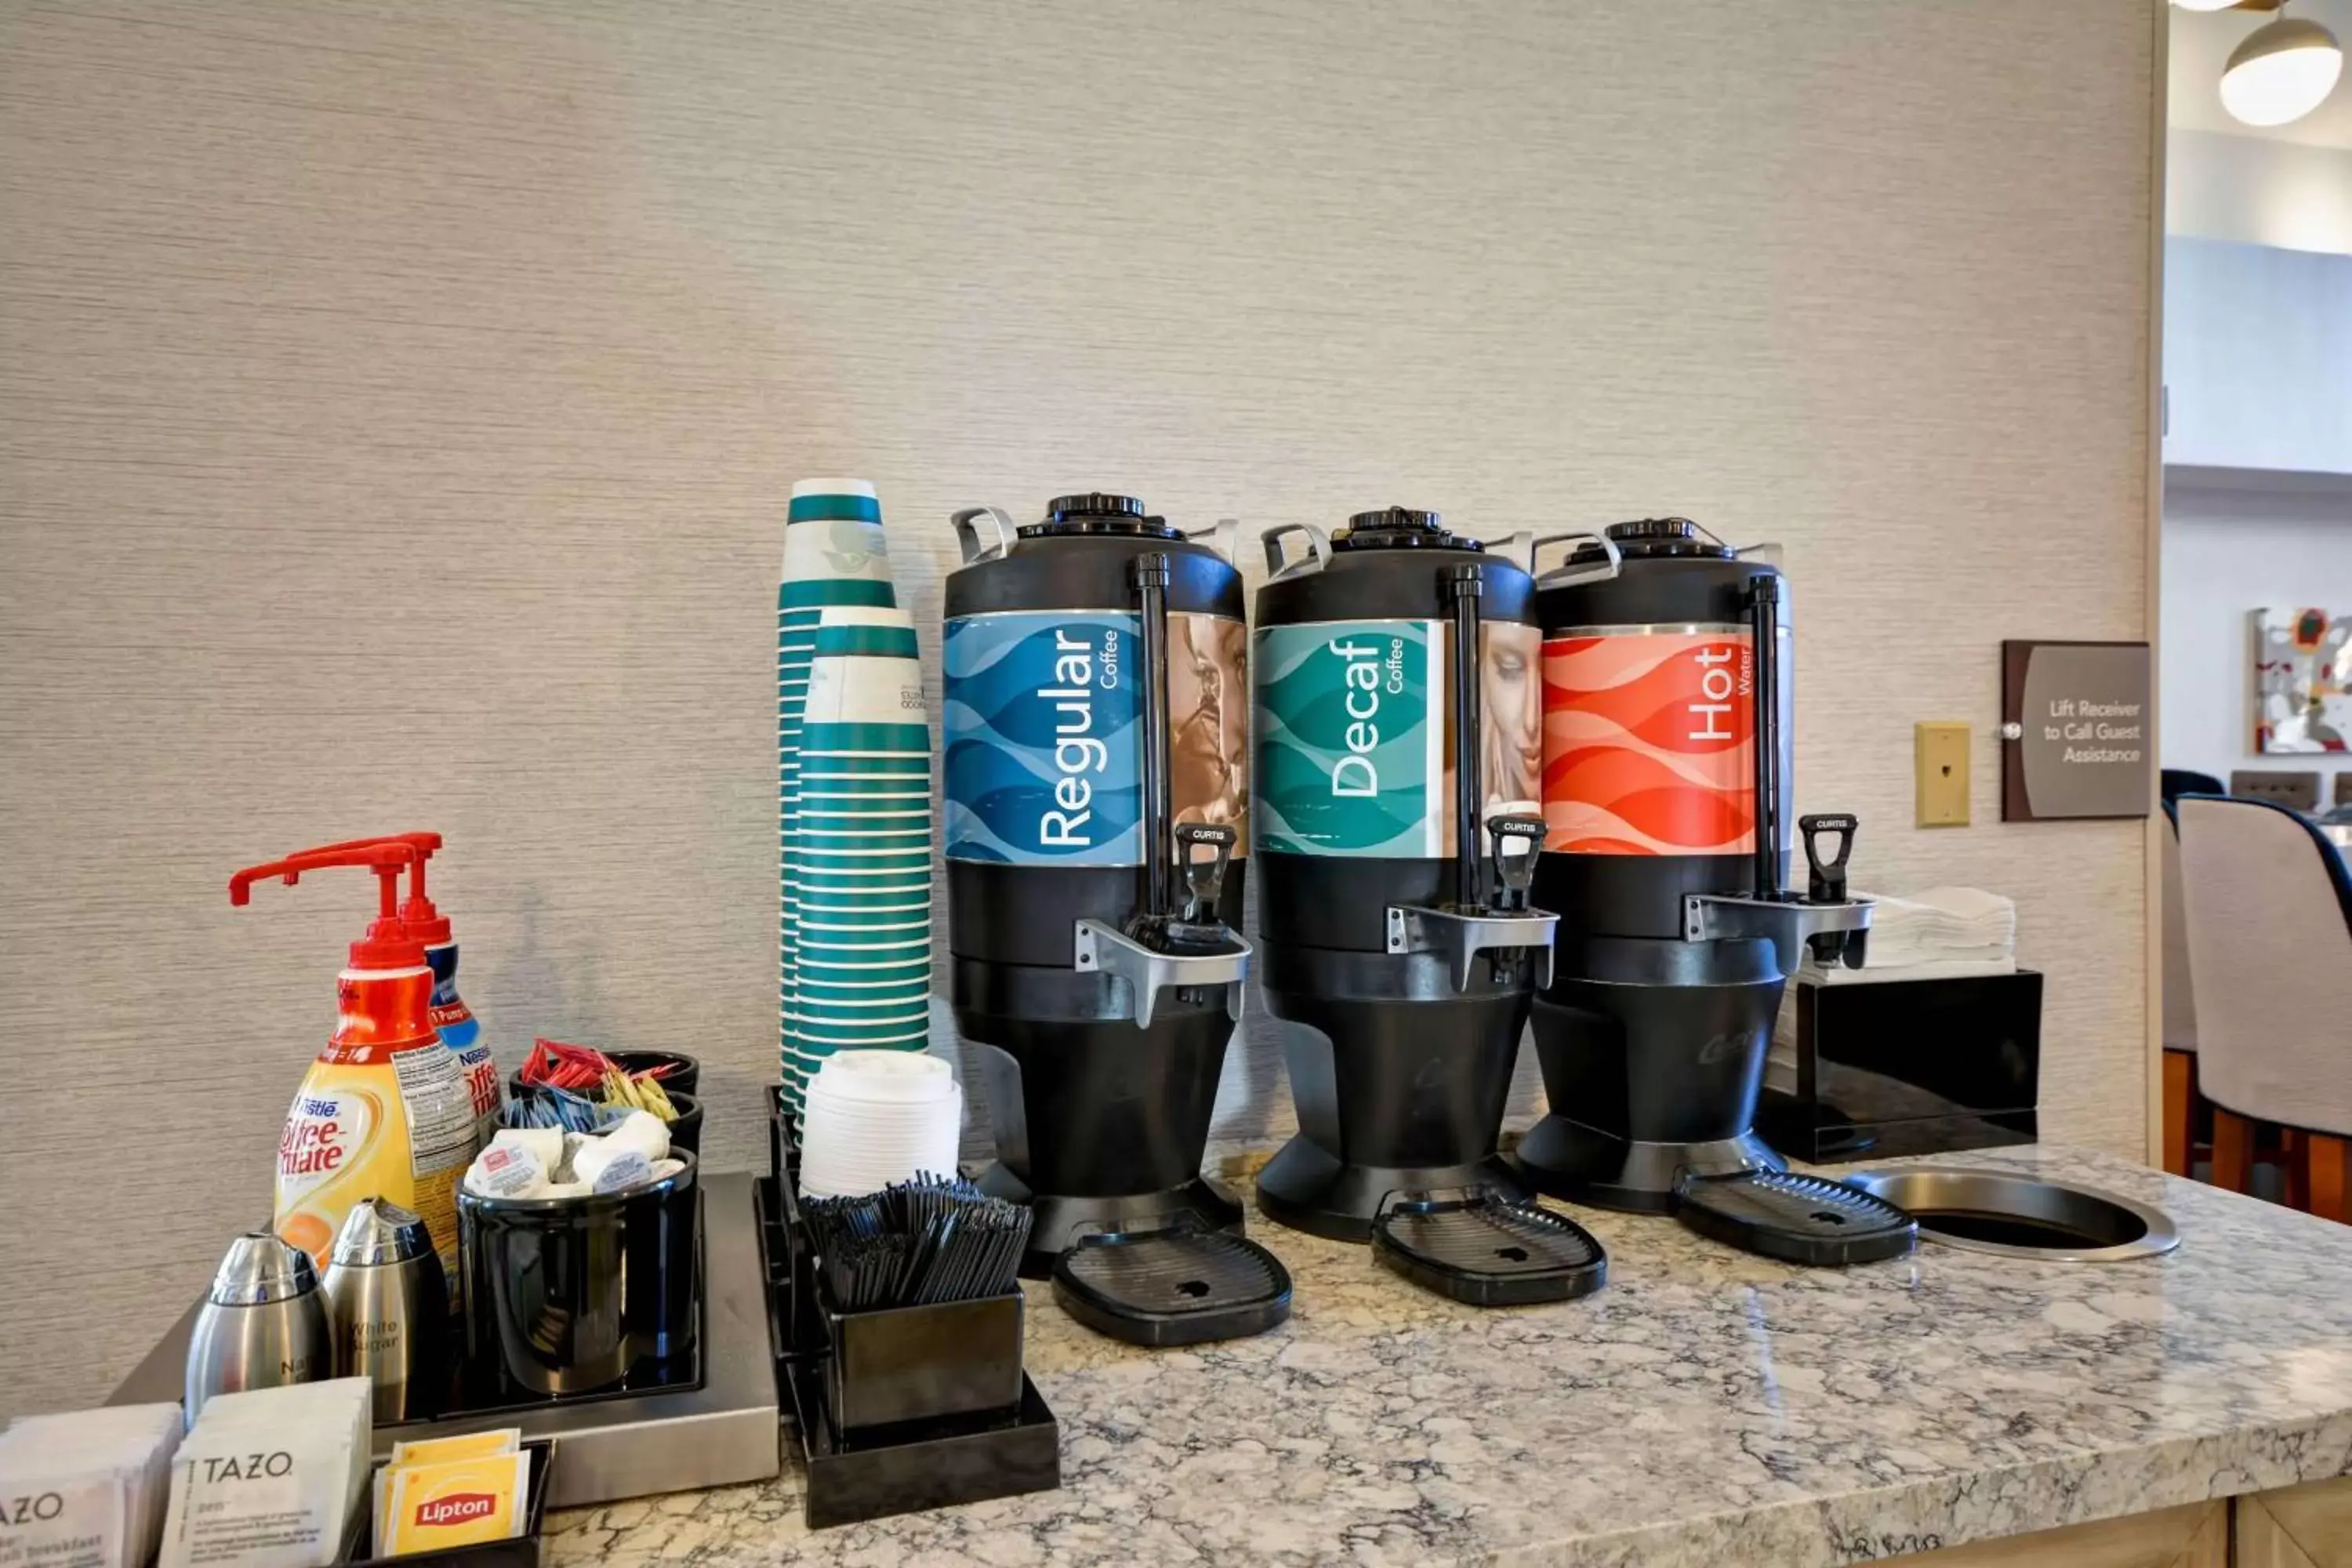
(1666, 779)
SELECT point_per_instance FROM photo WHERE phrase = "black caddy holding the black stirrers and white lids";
(904, 1409)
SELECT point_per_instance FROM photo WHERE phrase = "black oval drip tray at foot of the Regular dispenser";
(1172, 1287)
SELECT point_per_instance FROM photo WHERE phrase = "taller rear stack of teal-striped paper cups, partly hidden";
(834, 561)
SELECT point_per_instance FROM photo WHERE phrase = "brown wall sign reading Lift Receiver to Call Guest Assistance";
(2076, 730)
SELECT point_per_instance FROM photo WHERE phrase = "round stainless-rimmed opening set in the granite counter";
(2019, 1217)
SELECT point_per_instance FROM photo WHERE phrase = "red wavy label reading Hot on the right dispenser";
(1650, 744)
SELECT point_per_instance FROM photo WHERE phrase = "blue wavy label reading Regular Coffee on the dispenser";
(1043, 760)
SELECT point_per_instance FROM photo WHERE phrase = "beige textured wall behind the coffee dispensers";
(399, 403)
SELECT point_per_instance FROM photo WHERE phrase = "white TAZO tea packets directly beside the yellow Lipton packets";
(272, 1477)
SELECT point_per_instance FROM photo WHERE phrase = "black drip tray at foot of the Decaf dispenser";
(1488, 1252)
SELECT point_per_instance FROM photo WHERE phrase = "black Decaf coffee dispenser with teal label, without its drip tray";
(1398, 791)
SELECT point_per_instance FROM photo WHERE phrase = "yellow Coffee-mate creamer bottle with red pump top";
(385, 1108)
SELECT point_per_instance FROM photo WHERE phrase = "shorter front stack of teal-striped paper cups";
(862, 850)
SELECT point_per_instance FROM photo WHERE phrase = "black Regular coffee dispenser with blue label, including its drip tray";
(1097, 793)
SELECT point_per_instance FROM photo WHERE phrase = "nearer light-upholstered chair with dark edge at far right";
(2269, 913)
